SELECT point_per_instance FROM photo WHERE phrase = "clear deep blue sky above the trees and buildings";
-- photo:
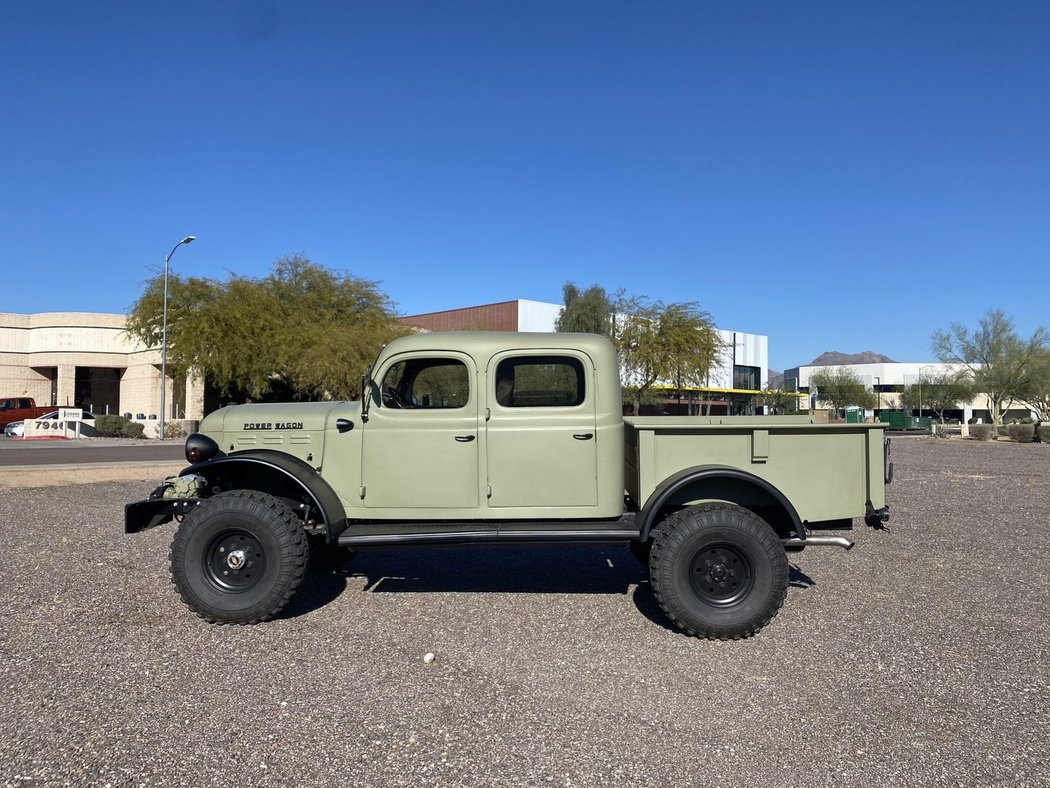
(838, 176)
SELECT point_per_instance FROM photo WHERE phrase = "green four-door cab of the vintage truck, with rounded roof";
(475, 427)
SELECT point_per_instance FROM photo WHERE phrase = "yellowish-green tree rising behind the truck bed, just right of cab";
(665, 344)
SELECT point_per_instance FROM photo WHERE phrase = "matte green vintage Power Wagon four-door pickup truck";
(488, 439)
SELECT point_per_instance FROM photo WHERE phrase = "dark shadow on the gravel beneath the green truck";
(534, 571)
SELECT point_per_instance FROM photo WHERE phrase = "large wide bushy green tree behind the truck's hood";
(302, 333)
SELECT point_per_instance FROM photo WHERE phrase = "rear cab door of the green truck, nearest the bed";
(541, 433)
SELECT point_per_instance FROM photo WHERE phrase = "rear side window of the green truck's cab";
(540, 382)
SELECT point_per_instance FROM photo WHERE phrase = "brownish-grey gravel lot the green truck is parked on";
(919, 658)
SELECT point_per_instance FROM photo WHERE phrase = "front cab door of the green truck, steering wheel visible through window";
(421, 444)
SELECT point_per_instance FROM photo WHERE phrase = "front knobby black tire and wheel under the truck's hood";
(239, 558)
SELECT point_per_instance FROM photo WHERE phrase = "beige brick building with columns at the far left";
(88, 360)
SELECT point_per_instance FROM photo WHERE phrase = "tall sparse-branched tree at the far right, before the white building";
(998, 360)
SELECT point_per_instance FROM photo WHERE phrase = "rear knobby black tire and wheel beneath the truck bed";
(719, 571)
